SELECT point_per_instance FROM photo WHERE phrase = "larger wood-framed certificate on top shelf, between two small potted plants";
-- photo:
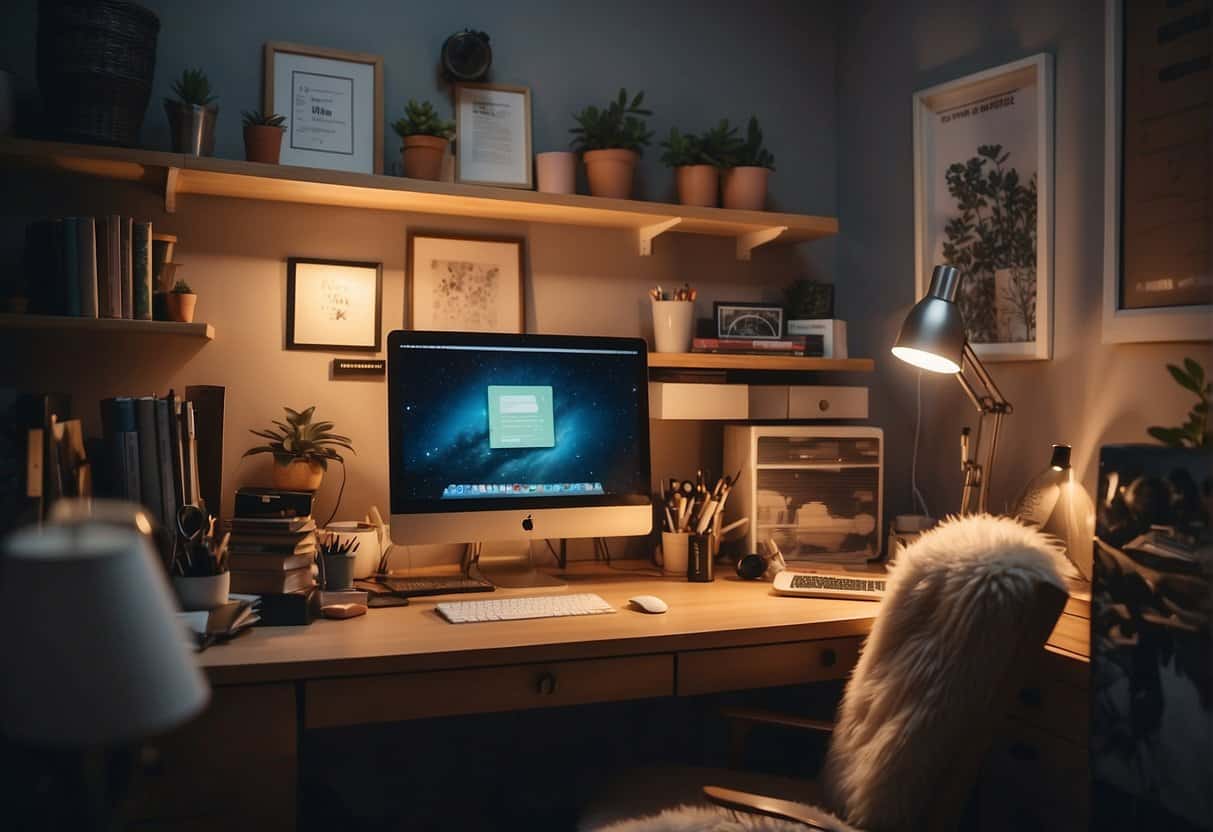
(334, 106)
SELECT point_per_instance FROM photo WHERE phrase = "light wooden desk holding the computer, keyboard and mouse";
(402, 664)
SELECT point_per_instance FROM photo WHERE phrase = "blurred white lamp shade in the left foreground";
(92, 649)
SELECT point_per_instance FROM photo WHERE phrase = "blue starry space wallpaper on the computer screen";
(445, 421)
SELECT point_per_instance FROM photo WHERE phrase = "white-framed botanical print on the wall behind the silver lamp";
(984, 203)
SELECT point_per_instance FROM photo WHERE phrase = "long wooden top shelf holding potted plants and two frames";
(180, 175)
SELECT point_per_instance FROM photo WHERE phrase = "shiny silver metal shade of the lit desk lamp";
(933, 334)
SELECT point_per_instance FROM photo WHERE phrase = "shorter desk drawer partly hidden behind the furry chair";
(768, 666)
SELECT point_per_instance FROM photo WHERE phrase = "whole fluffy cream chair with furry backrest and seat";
(967, 608)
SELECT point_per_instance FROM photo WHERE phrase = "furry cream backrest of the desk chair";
(969, 608)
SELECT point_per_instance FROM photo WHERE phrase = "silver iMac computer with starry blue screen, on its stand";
(511, 438)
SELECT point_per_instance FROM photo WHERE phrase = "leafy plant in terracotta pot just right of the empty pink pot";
(611, 141)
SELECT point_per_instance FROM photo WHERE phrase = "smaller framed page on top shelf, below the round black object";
(493, 135)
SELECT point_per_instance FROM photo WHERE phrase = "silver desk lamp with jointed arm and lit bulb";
(933, 339)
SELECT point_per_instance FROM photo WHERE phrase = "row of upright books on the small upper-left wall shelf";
(90, 267)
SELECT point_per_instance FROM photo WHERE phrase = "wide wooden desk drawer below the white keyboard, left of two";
(371, 699)
